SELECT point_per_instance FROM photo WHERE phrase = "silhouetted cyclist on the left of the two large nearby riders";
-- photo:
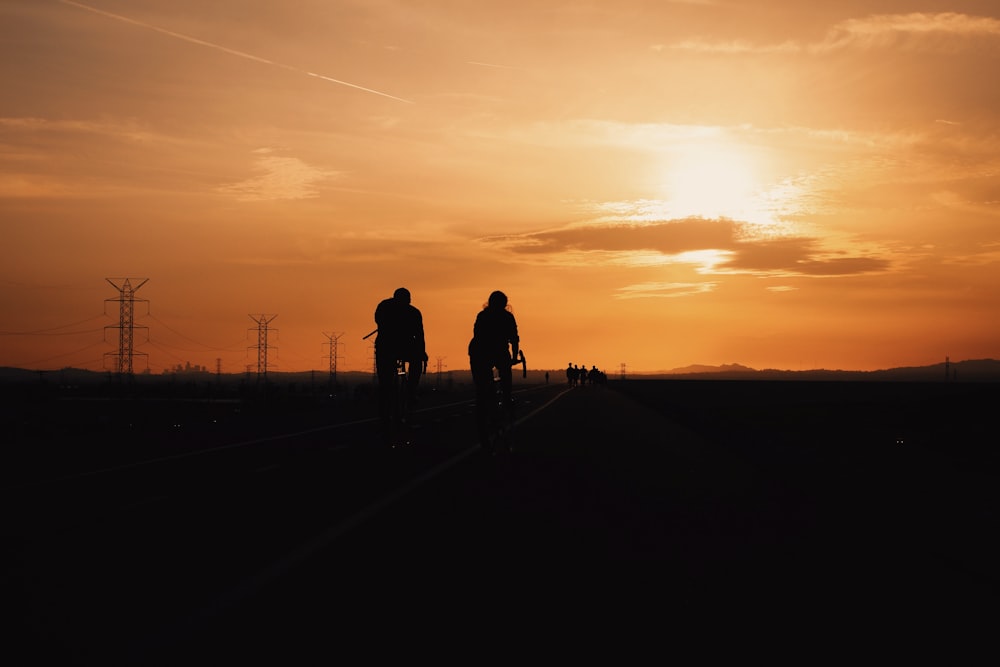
(400, 337)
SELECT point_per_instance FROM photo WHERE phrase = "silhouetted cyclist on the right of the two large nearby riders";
(494, 344)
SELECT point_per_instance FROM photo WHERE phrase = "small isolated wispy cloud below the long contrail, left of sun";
(282, 178)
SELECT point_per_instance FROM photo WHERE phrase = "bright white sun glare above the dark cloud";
(714, 180)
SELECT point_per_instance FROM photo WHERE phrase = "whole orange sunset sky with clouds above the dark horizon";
(775, 183)
